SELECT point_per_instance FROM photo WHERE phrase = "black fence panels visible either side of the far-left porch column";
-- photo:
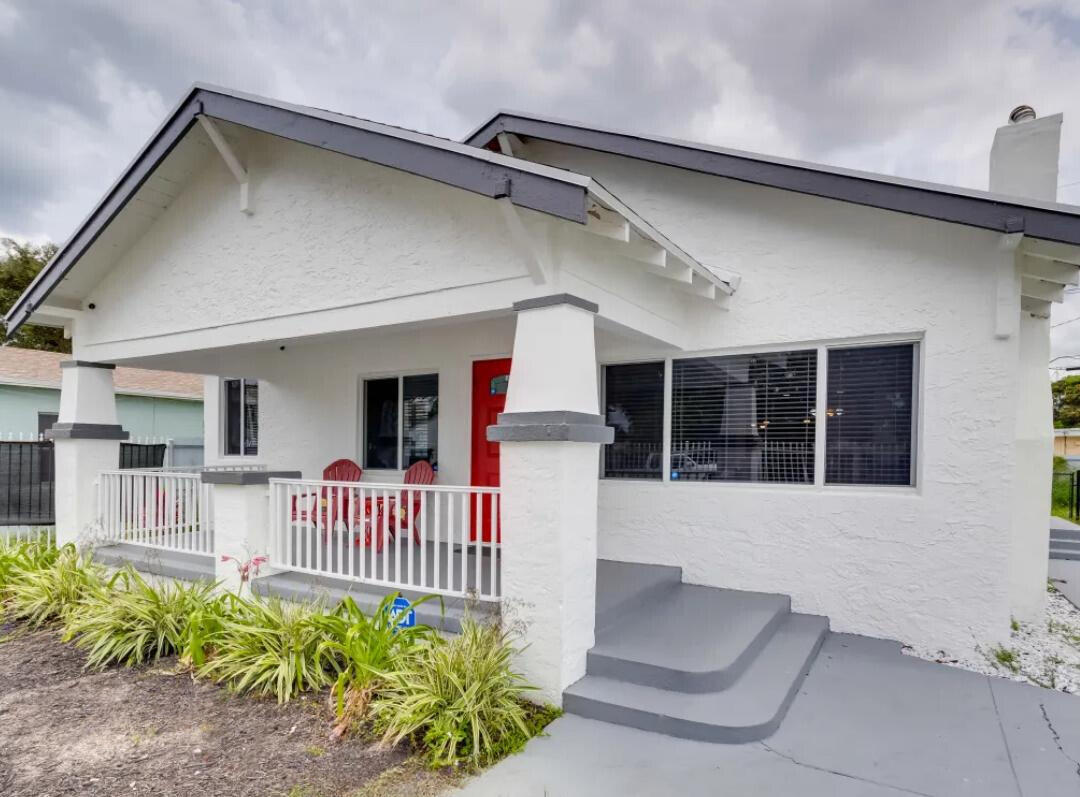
(28, 478)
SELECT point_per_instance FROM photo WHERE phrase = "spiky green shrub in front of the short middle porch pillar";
(267, 647)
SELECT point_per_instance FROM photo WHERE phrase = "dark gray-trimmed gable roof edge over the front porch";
(535, 186)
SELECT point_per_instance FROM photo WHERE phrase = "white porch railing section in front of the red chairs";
(427, 538)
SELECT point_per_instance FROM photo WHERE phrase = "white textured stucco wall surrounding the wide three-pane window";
(929, 564)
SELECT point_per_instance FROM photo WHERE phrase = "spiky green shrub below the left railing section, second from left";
(131, 622)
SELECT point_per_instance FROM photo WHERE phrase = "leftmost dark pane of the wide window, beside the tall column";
(634, 407)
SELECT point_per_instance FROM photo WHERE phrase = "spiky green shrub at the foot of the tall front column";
(460, 697)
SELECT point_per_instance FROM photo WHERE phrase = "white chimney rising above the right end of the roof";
(1024, 156)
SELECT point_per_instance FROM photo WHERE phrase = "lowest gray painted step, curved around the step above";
(750, 710)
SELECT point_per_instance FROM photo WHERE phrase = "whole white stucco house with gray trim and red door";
(758, 375)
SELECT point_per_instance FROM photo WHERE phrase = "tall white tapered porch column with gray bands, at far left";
(87, 439)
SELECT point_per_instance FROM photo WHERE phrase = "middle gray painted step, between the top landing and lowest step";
(688, 639)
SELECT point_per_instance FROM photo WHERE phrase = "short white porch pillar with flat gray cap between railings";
(241, 519)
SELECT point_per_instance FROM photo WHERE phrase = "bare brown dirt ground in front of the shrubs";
(155, 732)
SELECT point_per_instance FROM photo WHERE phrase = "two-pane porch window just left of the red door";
(401, 422)
